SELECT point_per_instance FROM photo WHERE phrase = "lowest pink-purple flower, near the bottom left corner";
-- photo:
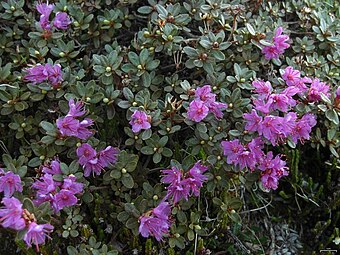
(37, 233)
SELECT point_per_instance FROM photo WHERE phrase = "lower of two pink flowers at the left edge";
(11, 215)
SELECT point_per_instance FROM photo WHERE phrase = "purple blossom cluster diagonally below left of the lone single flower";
(94, 162)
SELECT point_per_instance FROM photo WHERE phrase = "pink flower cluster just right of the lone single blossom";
(205, 102)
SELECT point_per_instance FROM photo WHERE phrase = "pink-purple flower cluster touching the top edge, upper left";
(61, 20)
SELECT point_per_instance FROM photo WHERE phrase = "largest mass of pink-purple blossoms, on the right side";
(273, 118)
